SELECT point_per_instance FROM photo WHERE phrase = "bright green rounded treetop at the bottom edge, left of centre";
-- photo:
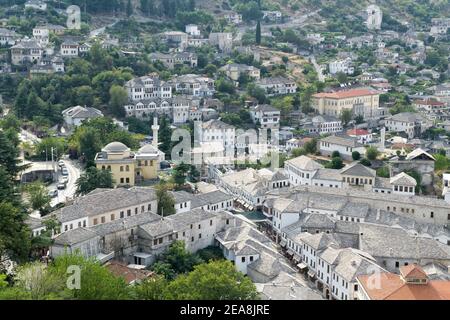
(216, 280)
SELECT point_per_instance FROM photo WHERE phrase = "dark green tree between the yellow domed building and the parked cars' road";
(92, 179)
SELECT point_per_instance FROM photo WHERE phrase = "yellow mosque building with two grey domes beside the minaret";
(127, 167)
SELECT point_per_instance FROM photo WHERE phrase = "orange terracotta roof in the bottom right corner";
(392, 287)
